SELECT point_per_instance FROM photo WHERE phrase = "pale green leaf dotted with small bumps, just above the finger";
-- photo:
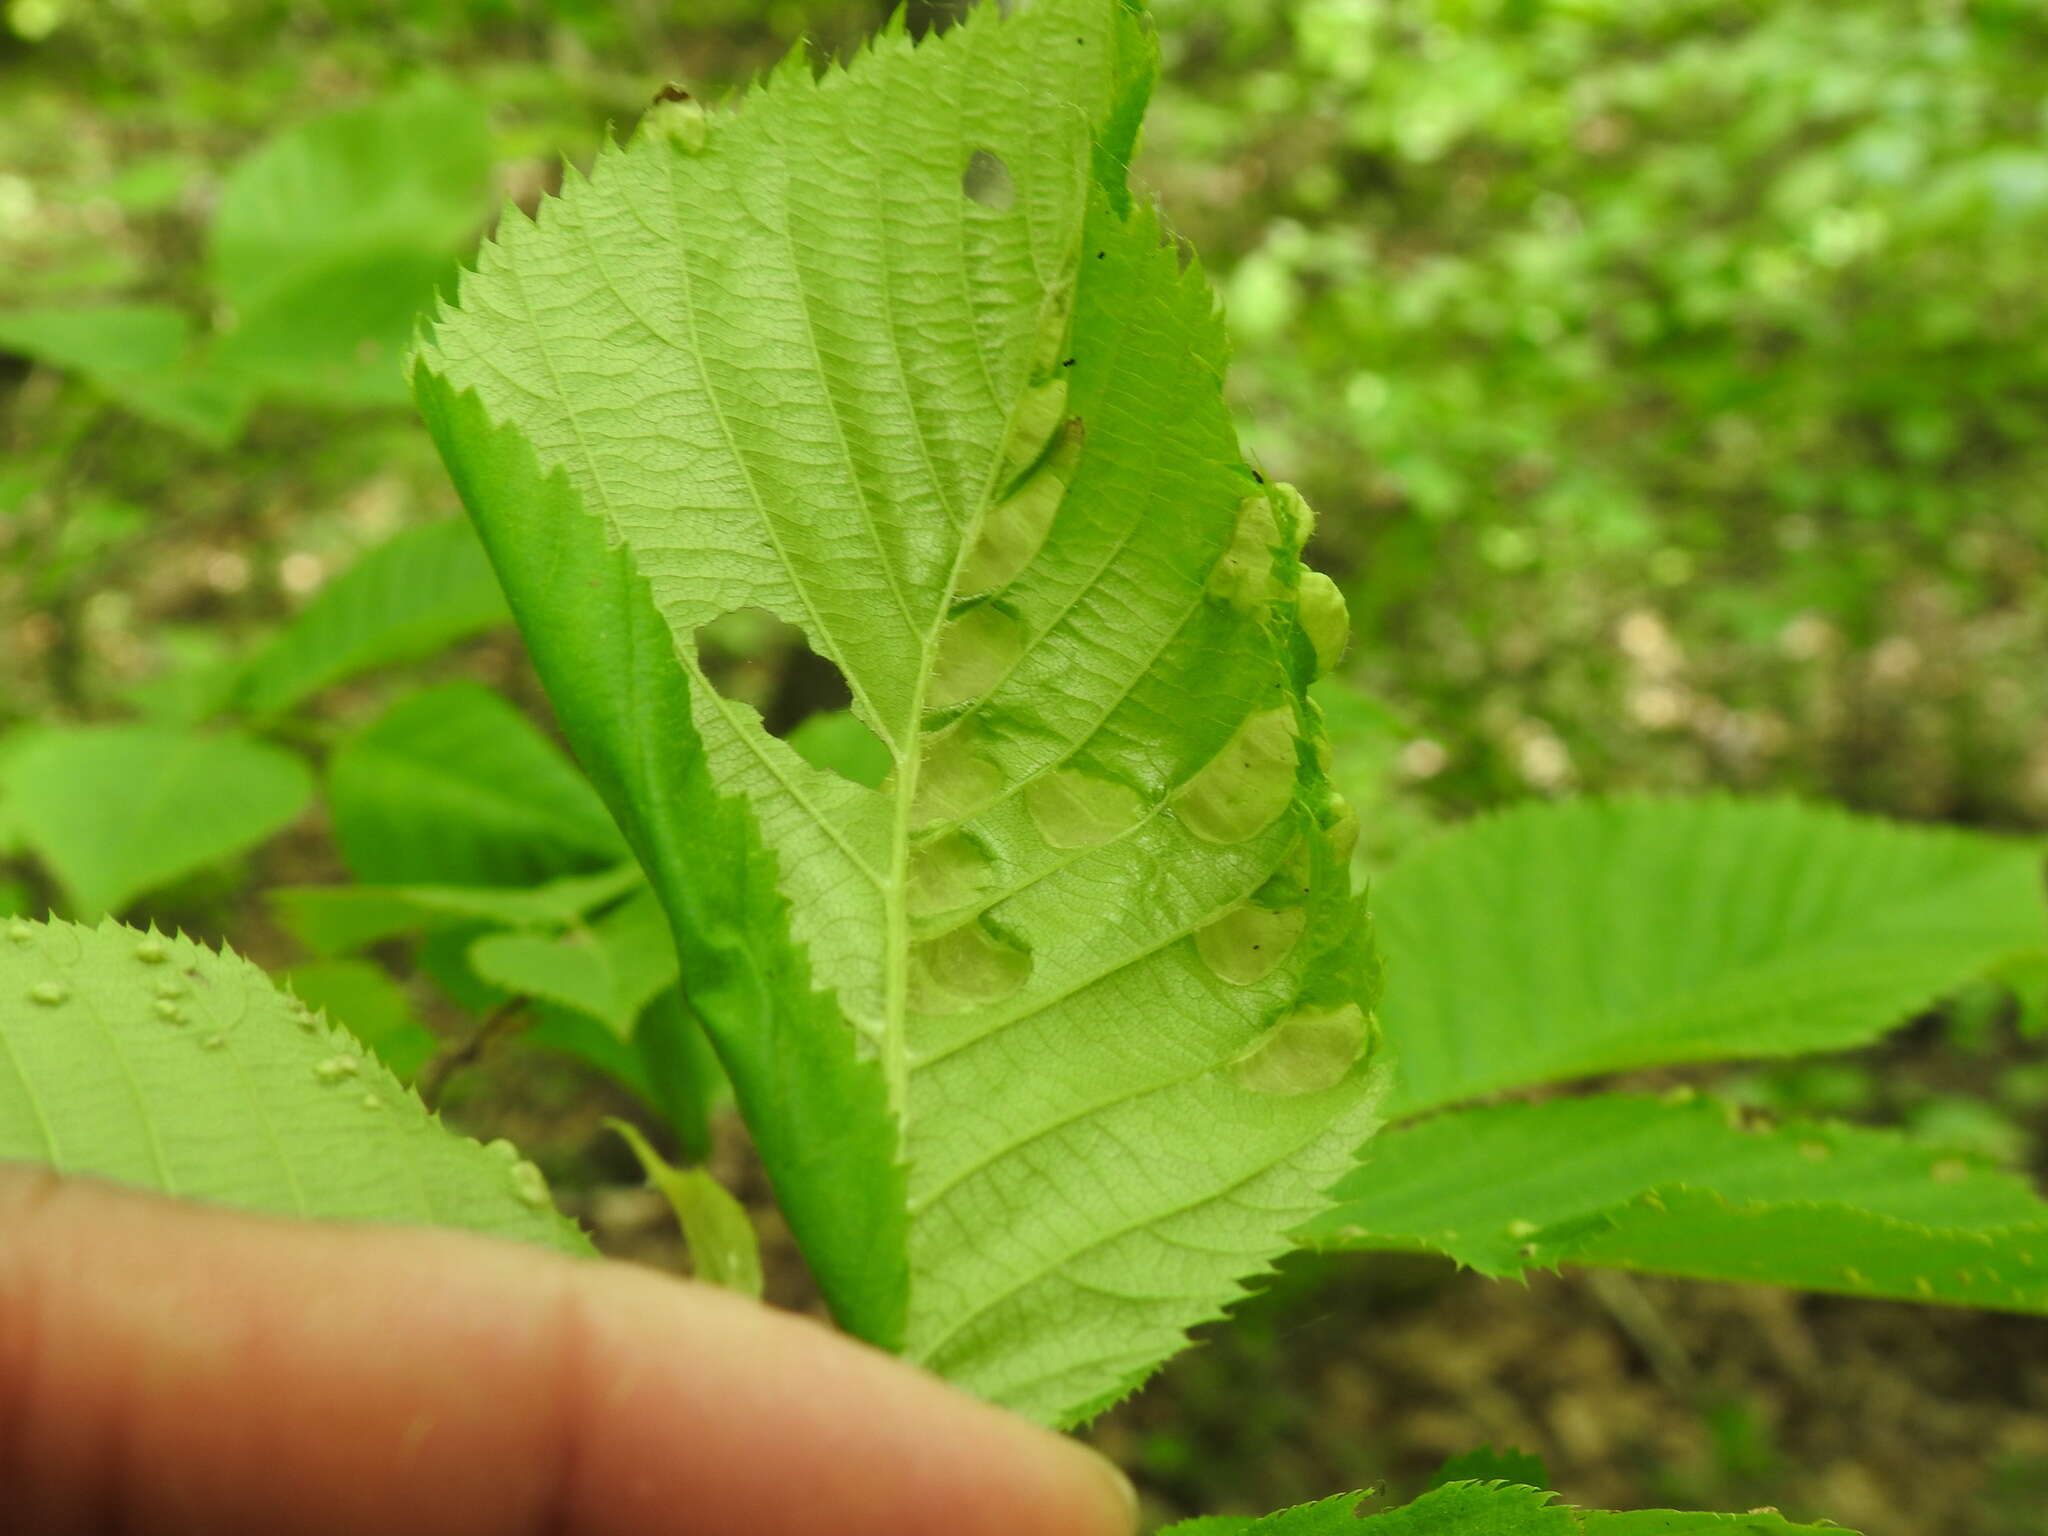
(157, 1062)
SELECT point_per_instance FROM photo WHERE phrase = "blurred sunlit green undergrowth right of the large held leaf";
(1670, 374)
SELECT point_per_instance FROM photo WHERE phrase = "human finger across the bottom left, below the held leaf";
(175, 1369)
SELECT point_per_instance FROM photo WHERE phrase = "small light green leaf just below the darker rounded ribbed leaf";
(609, 970)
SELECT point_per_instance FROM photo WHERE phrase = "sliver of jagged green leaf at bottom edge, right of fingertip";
(1496, 1510)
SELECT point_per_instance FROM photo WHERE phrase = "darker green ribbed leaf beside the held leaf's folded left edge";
(456, 787)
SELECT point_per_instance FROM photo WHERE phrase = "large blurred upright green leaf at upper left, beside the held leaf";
(333, 237)
